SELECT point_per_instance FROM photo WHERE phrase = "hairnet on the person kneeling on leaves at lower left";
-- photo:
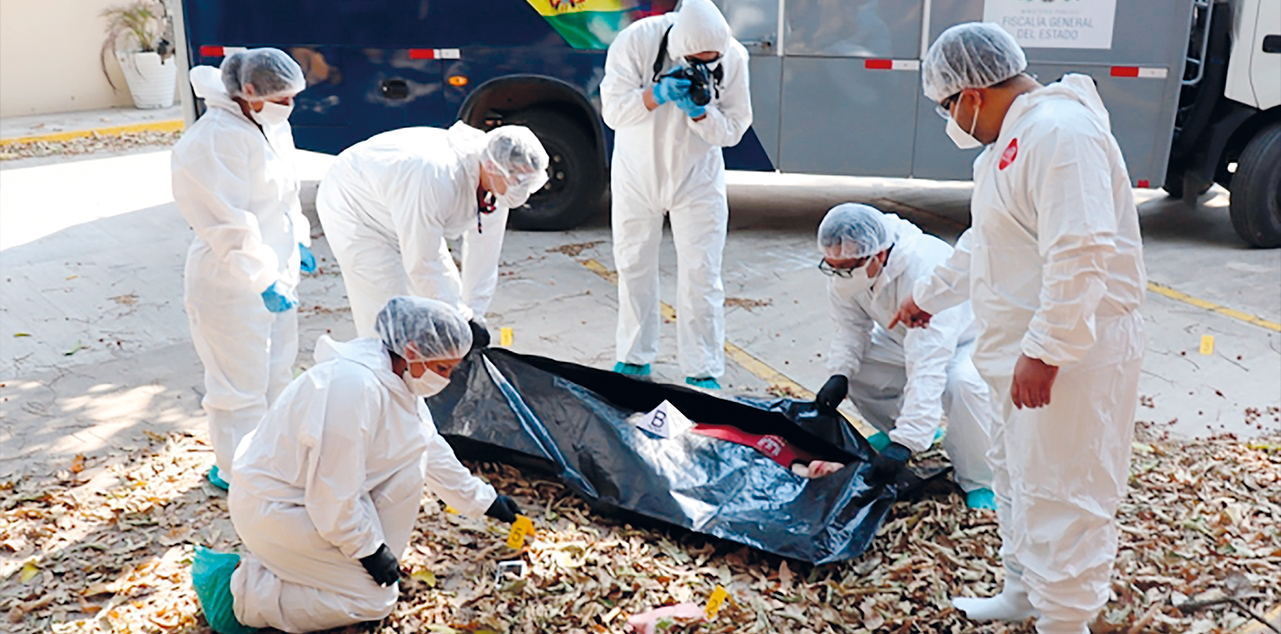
(436, 330)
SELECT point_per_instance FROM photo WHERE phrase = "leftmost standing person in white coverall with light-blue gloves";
(235, 183)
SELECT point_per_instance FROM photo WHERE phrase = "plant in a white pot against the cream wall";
(140, 34)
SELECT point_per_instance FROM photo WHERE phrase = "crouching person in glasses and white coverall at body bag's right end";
(902, 380)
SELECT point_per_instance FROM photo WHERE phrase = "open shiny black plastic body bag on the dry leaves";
(572, 421)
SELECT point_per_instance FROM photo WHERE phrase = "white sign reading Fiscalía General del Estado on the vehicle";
(1055, 24)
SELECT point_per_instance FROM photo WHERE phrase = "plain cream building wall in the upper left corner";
(49, 58)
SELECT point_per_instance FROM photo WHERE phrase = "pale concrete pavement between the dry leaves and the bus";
(95, 352)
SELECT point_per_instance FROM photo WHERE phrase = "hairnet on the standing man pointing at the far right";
(972, 56)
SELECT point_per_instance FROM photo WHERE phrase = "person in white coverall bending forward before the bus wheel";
(389, 204)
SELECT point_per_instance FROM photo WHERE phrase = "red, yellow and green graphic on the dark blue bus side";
(592, 25)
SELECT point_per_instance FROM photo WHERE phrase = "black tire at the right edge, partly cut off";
(1256, 203)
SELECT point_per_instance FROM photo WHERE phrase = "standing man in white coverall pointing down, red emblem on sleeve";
(1054, 268)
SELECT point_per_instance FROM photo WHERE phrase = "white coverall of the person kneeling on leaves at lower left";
(335, 471)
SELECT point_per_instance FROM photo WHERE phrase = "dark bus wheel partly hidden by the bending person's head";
(576, 179)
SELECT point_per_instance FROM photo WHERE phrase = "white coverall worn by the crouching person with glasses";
(902, 381)
